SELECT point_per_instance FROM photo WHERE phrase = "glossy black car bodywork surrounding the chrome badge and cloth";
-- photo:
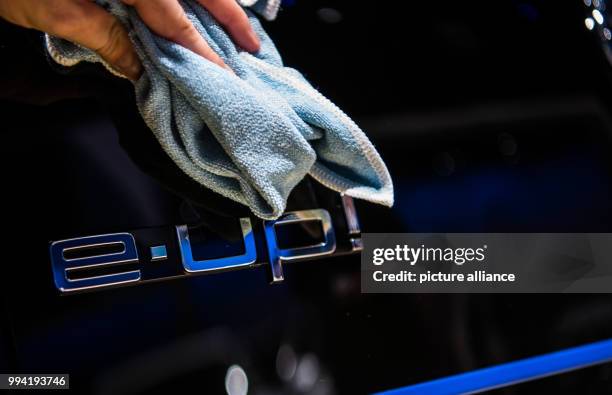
(491, 116)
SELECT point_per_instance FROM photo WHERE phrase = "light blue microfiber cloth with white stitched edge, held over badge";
(251, 135)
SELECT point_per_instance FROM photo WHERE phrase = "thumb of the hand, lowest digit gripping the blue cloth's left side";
(94, 28)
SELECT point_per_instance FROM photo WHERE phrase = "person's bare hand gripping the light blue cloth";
(87, 24)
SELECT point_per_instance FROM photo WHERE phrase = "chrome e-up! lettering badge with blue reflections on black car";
(115, 259)
